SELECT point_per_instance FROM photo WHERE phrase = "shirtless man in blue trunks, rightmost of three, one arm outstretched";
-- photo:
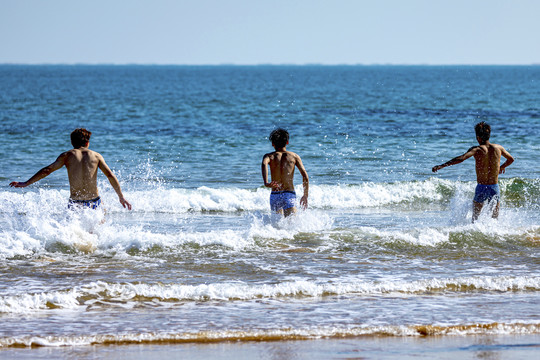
(488, 168)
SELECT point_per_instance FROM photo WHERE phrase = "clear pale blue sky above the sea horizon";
(270, 31)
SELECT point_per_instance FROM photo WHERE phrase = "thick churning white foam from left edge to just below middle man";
(36, 231)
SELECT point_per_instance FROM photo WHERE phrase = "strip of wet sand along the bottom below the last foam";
(447, 347)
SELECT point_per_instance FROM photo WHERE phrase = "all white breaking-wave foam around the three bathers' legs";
(32, 222)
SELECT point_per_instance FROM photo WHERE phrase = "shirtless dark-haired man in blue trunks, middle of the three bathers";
(282, 163)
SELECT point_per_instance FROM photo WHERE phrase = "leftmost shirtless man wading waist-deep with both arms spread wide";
(82, 165)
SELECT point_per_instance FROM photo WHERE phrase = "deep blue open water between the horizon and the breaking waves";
(351, 124)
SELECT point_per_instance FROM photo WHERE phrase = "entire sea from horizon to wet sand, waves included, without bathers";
(385, 249)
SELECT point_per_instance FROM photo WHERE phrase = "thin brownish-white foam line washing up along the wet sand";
(302, 333)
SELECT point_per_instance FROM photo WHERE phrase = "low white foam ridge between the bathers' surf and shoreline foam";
(126, 292)
